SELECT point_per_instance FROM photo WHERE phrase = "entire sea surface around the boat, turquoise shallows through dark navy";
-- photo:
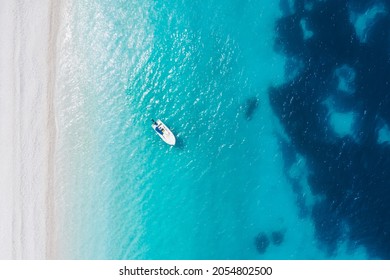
(281, 112)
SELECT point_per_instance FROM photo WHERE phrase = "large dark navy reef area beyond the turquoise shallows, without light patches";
(351, 175)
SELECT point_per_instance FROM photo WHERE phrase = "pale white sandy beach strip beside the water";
(27, 130)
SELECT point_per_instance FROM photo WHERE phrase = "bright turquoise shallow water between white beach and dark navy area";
(124, 194)
